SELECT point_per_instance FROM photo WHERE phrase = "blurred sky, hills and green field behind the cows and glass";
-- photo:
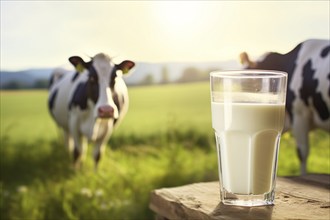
(166, 139)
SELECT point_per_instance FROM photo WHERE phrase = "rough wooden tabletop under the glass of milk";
(305, 197)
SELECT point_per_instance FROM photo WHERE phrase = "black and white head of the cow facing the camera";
(100, 87)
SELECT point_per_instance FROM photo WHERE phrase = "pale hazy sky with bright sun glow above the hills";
(43, 34)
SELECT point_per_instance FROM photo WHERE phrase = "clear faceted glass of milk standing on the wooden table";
(248, 111)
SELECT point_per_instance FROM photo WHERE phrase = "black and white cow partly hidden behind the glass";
(308, 92)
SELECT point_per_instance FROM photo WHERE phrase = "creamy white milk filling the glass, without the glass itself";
(248, 134)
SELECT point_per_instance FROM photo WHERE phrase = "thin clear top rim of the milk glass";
(248, 73)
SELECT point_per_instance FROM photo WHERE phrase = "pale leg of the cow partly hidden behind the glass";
(300, 131)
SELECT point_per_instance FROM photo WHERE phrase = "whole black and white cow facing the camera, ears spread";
(89, 102)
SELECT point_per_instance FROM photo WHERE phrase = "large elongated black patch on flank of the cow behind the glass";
(308, 90)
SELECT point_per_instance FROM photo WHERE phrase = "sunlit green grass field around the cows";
(165, 140)
